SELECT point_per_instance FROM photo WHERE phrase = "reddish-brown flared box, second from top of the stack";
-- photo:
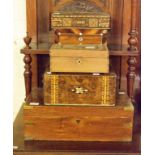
(81, 37)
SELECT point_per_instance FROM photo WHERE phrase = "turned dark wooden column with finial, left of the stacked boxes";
(27, 73)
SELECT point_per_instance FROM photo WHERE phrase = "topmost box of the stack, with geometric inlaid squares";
(80, 20)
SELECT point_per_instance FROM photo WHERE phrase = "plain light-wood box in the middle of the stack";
(82, 59)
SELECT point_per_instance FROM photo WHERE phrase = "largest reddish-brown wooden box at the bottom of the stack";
(79, 123)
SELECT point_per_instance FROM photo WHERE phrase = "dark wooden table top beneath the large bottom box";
(72, 148)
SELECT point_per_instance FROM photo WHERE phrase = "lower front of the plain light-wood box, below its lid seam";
(79, 64)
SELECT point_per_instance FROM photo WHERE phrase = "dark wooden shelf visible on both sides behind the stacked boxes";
(44, 48)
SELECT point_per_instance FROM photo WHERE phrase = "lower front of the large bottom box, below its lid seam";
(80, 129)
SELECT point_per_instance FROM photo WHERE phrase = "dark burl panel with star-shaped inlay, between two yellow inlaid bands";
(80, 90)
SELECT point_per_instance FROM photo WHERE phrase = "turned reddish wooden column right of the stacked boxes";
(133, 41)
